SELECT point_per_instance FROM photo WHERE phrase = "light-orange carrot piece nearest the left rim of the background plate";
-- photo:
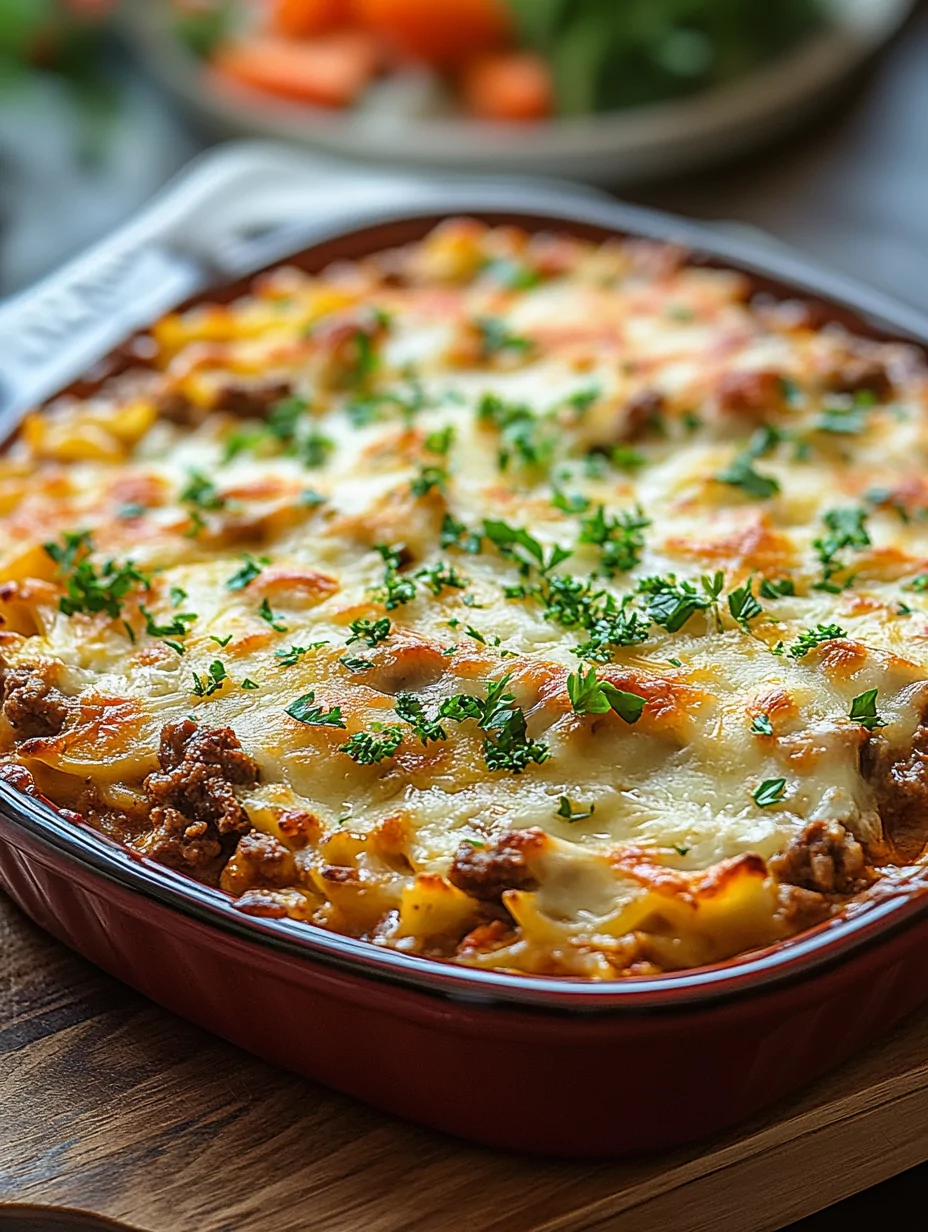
(330, 71)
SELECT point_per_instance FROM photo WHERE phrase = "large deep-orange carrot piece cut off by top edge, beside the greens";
(443, 33)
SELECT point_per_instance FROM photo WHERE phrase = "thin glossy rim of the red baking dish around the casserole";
(898, 906)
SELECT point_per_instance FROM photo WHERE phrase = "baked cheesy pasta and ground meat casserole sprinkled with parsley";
(490, 466)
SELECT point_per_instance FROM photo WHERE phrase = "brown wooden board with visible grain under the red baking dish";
(109, 1104)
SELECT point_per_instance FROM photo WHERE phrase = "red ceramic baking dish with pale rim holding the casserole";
(540, 1065)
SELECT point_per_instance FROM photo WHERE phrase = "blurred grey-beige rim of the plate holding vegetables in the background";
(613, 150)
